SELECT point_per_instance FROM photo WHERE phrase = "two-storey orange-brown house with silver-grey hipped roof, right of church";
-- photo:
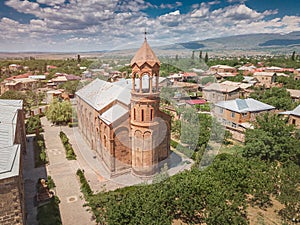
(236, 115)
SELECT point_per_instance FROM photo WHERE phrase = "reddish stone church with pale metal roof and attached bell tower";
(122, 121)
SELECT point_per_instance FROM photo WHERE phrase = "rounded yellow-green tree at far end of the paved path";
(59, 112)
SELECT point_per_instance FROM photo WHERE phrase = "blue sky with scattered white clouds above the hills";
(96, 25)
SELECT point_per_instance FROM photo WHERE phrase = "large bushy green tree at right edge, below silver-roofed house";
(272, 139)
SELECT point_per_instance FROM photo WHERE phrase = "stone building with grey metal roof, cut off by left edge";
(12, 149)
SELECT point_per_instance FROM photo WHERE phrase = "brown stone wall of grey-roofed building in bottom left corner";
(11, 203)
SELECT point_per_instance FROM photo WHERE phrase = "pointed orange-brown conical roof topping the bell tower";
(145, 55)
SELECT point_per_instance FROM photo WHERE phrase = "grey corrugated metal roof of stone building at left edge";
(9, 152)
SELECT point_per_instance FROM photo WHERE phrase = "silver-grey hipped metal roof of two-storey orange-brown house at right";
(244, 105)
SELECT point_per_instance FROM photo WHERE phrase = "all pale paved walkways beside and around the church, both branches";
(63, 173)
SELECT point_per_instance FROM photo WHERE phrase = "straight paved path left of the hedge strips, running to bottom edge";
(63, 173)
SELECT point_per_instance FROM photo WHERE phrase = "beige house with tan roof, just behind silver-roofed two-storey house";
(215, 92)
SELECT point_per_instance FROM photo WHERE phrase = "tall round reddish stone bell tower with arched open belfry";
(147, 126)
